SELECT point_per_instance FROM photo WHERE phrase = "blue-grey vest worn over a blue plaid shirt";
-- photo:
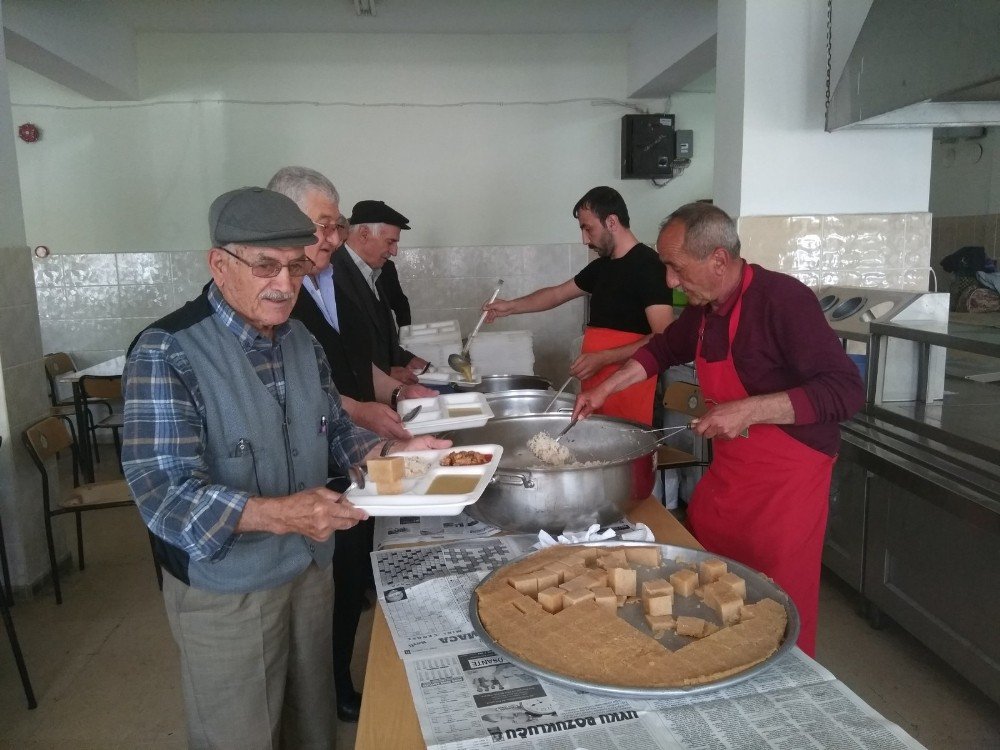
(245, 448)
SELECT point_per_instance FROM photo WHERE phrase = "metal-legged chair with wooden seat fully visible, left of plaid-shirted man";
(44, 440)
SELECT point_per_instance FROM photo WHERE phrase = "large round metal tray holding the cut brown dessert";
(758, 587)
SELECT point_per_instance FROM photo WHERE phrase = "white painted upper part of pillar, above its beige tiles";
(786, 162)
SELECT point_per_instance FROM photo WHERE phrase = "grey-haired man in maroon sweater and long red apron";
(773, 368)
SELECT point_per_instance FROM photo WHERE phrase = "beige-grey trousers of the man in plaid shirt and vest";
(256, 669)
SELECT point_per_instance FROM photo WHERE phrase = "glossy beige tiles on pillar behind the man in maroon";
(888, 251)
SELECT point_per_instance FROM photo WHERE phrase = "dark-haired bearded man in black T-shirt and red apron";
(629, 301)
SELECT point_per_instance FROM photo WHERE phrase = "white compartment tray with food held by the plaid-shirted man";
(414, 500)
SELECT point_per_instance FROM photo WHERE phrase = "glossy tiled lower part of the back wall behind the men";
(92, 305)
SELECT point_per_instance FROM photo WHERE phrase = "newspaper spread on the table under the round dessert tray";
(467, 696)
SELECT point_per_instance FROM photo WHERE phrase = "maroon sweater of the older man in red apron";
(783, 343)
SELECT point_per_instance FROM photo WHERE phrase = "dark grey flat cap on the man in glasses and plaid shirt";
(259, 217)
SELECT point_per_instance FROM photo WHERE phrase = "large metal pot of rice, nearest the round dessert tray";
(526, 495)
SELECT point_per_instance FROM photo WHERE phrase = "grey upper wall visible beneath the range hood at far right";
(965, 176)
